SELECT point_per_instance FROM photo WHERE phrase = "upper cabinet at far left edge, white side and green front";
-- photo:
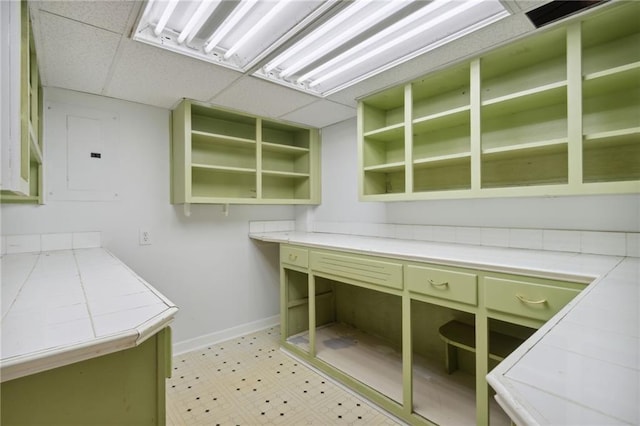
(21, 138)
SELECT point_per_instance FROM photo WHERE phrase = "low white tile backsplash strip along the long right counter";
(592, 242)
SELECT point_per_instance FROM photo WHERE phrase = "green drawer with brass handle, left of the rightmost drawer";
(444, 284)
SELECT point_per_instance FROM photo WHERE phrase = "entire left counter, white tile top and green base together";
(84, 341)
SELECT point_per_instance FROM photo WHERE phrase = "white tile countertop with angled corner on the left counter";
(65, 306)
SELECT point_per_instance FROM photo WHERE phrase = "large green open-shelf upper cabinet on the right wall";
(555, 113)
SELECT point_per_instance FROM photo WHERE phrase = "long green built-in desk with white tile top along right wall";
(366, 311)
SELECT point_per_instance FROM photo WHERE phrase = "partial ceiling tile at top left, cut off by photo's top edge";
(108, 15)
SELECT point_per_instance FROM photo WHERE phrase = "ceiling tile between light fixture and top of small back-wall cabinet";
(149, 75)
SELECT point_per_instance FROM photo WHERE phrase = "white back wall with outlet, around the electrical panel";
(205, 263)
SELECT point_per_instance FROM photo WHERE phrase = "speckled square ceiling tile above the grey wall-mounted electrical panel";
(74, 55)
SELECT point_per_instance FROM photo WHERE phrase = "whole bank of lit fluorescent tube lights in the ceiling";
(316, 46)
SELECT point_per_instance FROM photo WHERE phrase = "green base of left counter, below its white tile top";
(123, 388)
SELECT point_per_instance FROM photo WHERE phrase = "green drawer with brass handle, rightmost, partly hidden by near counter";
(526, 299)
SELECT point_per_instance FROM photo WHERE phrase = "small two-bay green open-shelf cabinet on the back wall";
(224, 157)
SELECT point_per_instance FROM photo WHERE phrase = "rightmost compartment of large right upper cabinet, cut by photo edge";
(611, 97)
